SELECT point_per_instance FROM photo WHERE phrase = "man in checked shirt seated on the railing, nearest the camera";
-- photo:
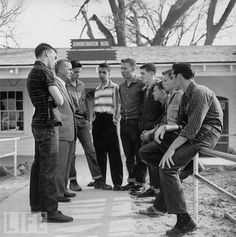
(202, 111)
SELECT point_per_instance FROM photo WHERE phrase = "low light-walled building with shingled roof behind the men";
(215, 67)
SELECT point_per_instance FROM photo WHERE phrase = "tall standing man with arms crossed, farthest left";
(45, 97)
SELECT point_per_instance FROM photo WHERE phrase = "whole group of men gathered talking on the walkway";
(163, 124)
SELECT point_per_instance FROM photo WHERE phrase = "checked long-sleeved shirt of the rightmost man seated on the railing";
(202, 109)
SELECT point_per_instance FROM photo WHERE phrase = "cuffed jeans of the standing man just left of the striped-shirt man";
(85, 139)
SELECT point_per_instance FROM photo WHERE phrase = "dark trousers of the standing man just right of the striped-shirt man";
(130, 137)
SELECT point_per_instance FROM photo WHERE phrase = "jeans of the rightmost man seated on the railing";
(171, 196)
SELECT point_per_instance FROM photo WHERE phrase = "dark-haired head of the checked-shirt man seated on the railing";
(182, 74)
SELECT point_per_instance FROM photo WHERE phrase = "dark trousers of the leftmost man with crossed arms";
(43, 193)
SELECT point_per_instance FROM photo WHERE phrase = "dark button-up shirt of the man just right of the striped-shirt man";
(131, 99)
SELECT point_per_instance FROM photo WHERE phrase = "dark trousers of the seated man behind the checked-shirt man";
(150, 153)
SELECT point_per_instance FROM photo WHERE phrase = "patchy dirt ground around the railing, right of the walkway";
(212, 207)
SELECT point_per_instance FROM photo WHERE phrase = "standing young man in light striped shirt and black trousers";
(106, 116)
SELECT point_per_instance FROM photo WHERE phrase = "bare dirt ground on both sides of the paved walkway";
(212, 206)
